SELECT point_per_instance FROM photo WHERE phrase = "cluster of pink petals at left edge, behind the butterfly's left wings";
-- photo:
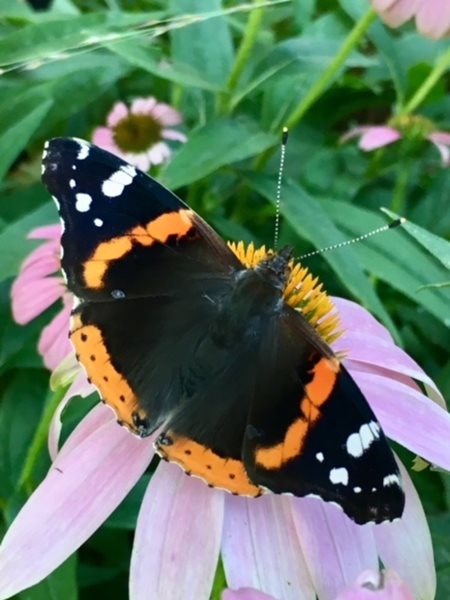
(38, 286)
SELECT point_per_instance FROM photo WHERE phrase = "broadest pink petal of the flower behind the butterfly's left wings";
(30, 299)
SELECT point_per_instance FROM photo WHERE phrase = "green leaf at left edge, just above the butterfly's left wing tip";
(19, 118)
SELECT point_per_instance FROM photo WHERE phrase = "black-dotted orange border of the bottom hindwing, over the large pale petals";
(224, 473)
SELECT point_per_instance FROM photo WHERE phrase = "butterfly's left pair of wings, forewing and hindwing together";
(143, 267)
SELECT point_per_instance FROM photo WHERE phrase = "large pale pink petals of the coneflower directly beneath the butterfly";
(276, 544)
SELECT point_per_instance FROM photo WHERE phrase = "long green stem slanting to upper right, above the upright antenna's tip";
(319, 87)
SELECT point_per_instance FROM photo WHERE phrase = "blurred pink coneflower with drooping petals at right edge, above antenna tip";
(418, 128)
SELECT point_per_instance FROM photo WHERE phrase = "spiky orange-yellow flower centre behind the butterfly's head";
(303, 291)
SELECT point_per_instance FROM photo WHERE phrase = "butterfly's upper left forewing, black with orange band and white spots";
(124, 233)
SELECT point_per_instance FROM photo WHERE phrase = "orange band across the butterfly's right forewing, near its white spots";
(317, 391)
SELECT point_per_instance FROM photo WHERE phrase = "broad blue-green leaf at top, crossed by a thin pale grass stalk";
(206, 46)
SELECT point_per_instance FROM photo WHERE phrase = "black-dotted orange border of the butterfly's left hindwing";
(113, 387)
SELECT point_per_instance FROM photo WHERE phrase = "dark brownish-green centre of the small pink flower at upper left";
(137, 133)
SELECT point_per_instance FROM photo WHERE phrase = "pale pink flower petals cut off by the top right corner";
(432, 16)
